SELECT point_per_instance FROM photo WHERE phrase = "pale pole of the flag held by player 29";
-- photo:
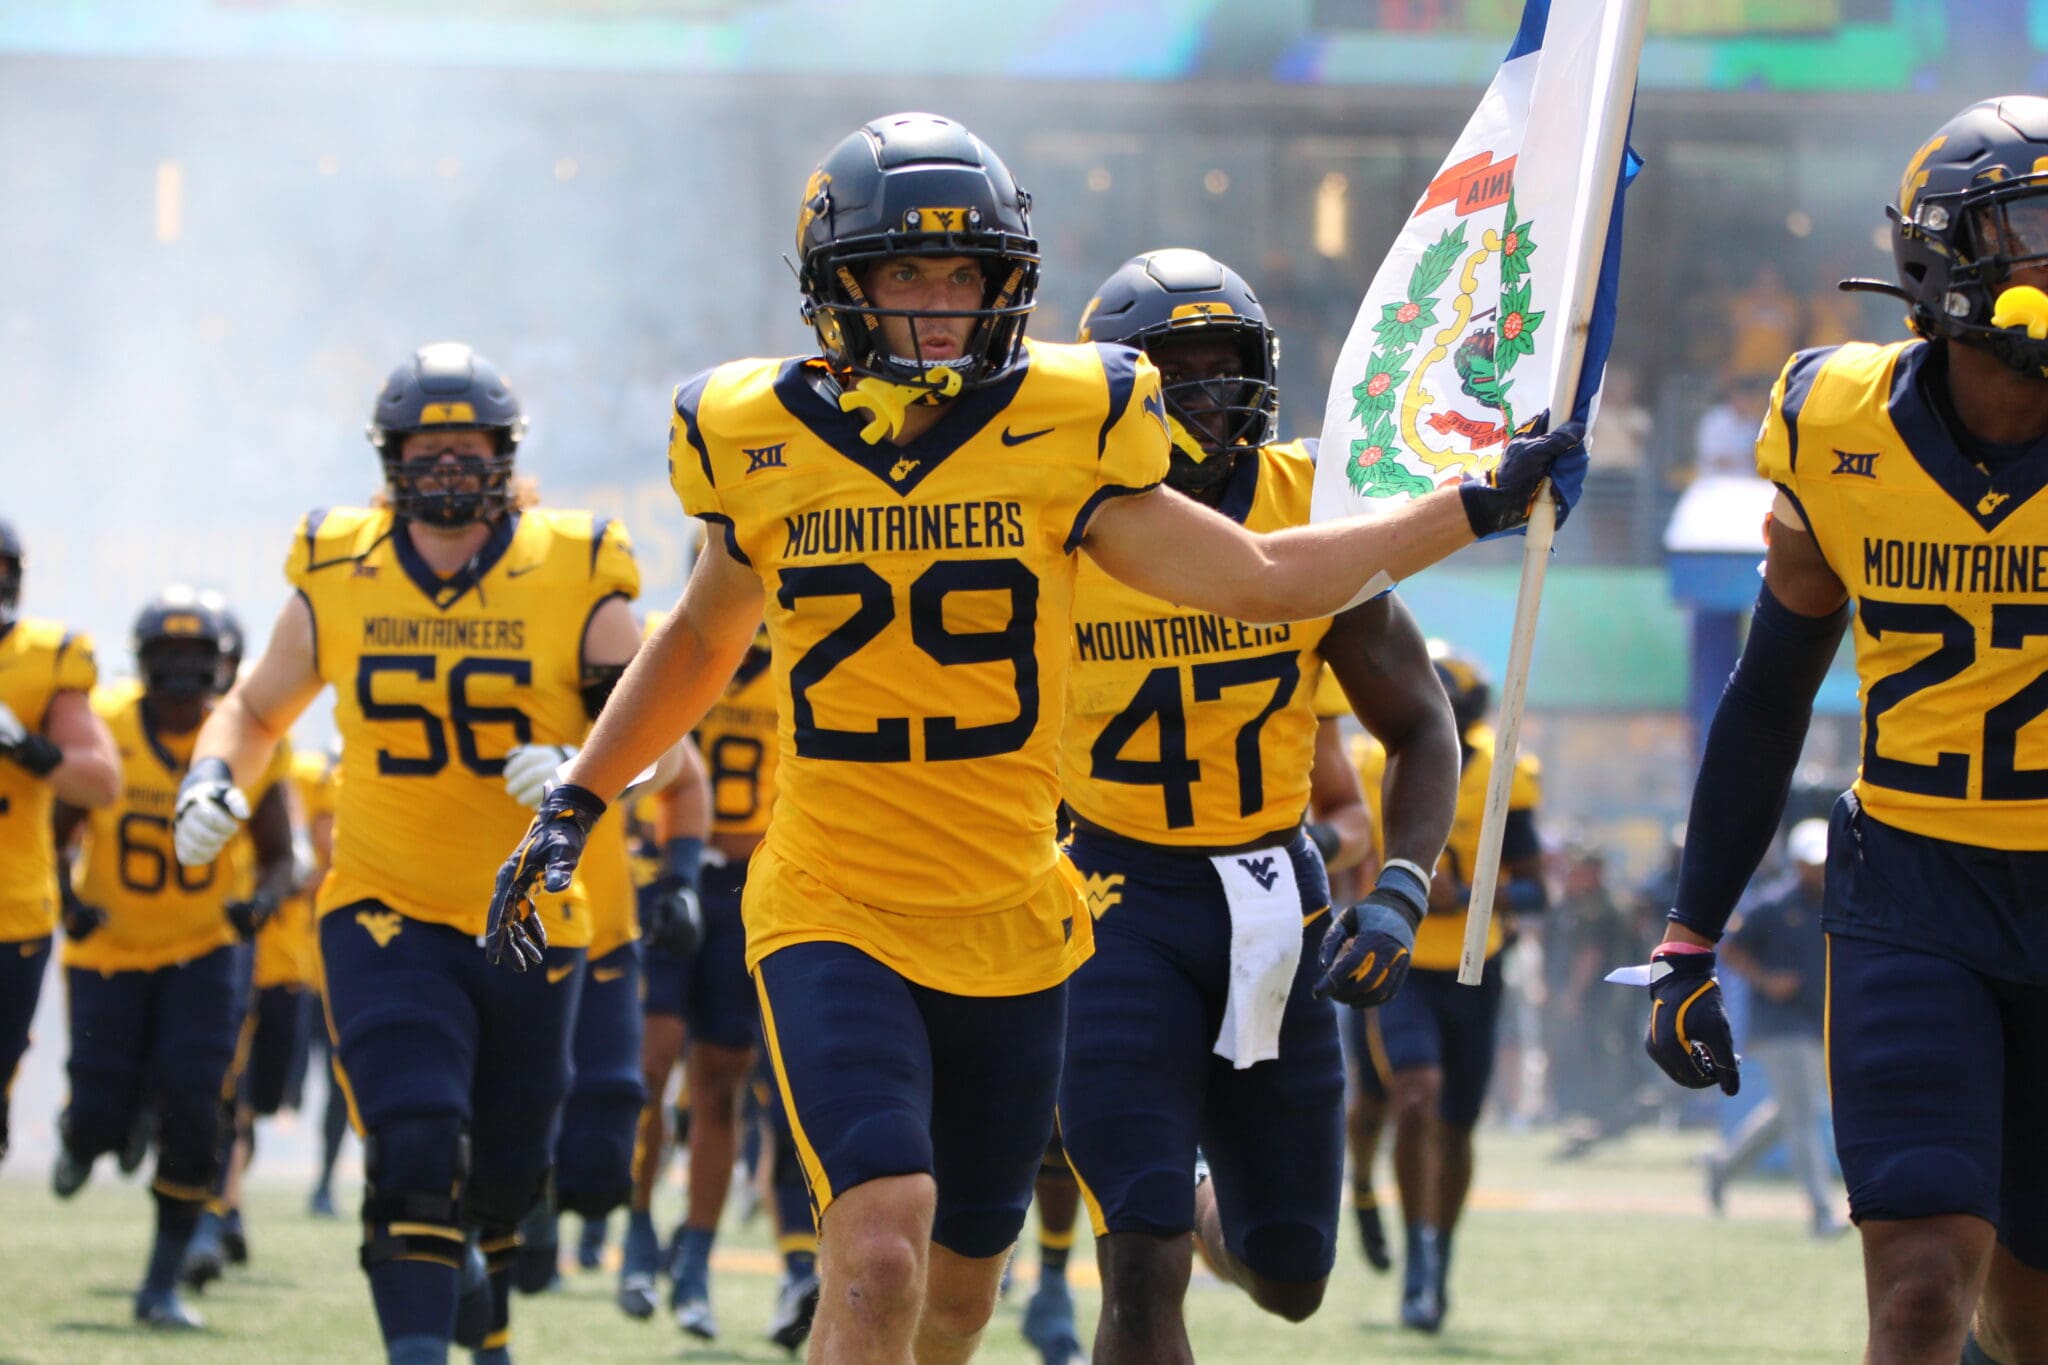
(1623, 42)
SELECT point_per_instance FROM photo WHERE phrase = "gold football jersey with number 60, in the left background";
(159, 914)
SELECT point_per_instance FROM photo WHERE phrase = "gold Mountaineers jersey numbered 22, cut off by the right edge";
(1949, 568)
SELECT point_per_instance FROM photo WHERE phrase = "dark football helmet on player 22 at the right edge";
(1973, 208)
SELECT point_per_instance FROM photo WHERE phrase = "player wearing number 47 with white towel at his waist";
(1191, 760)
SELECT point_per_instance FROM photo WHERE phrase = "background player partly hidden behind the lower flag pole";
(1439, 1039)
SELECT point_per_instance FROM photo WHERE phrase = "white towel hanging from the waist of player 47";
(1265, 953)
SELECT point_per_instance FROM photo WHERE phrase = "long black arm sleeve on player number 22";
(1752, 750)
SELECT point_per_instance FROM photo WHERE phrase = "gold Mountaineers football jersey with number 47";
(1185, 728)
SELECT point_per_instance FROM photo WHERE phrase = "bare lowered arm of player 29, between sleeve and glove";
(677, 674)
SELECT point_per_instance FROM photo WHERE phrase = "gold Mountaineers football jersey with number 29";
(921, 621)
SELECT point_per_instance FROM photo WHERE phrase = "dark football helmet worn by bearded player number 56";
(447, 388)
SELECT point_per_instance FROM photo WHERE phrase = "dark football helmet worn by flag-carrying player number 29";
(914, 185)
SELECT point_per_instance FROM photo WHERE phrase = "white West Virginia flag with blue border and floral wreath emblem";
(1467, 324)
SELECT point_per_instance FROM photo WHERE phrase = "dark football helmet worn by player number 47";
(1183, 294)
